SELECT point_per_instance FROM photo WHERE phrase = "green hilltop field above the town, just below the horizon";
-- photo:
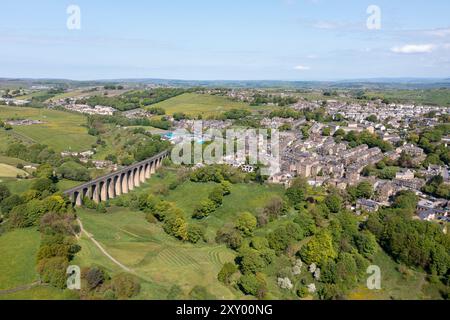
(196, 104)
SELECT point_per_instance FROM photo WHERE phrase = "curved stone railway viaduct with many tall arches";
(116, 183)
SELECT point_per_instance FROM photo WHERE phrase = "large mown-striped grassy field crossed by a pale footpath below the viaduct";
(158, 259)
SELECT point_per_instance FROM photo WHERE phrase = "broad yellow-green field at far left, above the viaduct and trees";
(61, 130)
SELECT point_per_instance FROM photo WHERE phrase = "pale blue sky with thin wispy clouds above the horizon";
(225, 39)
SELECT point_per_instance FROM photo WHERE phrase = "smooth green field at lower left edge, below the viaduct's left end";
(18, 258)
